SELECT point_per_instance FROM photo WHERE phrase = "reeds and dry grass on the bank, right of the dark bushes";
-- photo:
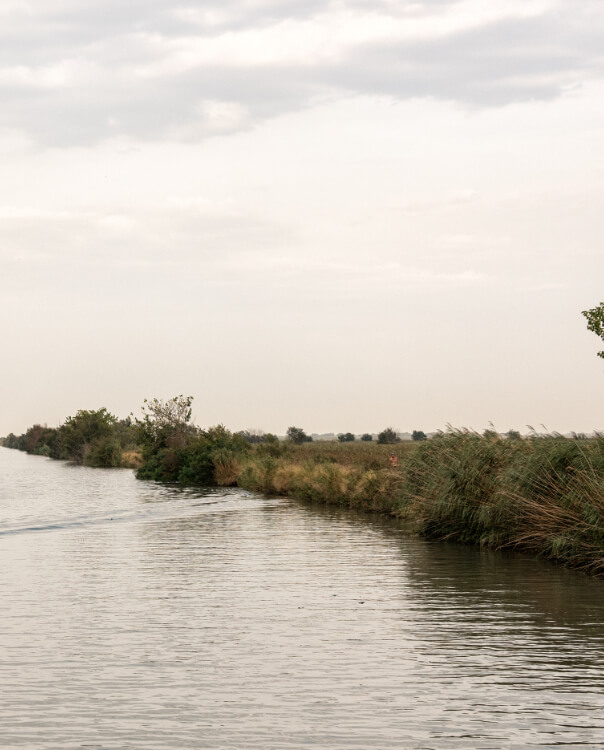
(543, 495)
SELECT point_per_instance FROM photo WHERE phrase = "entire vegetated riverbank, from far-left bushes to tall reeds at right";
(542, 494)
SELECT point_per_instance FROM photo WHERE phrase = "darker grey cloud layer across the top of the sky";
(74, 74)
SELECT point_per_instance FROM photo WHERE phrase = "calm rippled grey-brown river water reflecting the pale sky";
(139, 616)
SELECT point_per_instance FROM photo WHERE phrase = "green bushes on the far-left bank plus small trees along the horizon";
(162, 444)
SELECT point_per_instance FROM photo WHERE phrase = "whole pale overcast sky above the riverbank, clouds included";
(336, 215)
